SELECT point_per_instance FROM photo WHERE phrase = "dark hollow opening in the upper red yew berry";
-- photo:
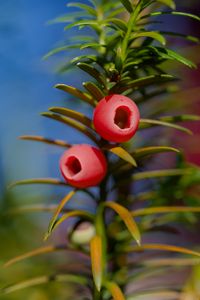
(122, 117)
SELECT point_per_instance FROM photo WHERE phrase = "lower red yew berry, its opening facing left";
(83, 166)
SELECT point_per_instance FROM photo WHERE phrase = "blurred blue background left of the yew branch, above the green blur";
(27, 88)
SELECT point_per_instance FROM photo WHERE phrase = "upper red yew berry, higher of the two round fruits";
(116, 118)
